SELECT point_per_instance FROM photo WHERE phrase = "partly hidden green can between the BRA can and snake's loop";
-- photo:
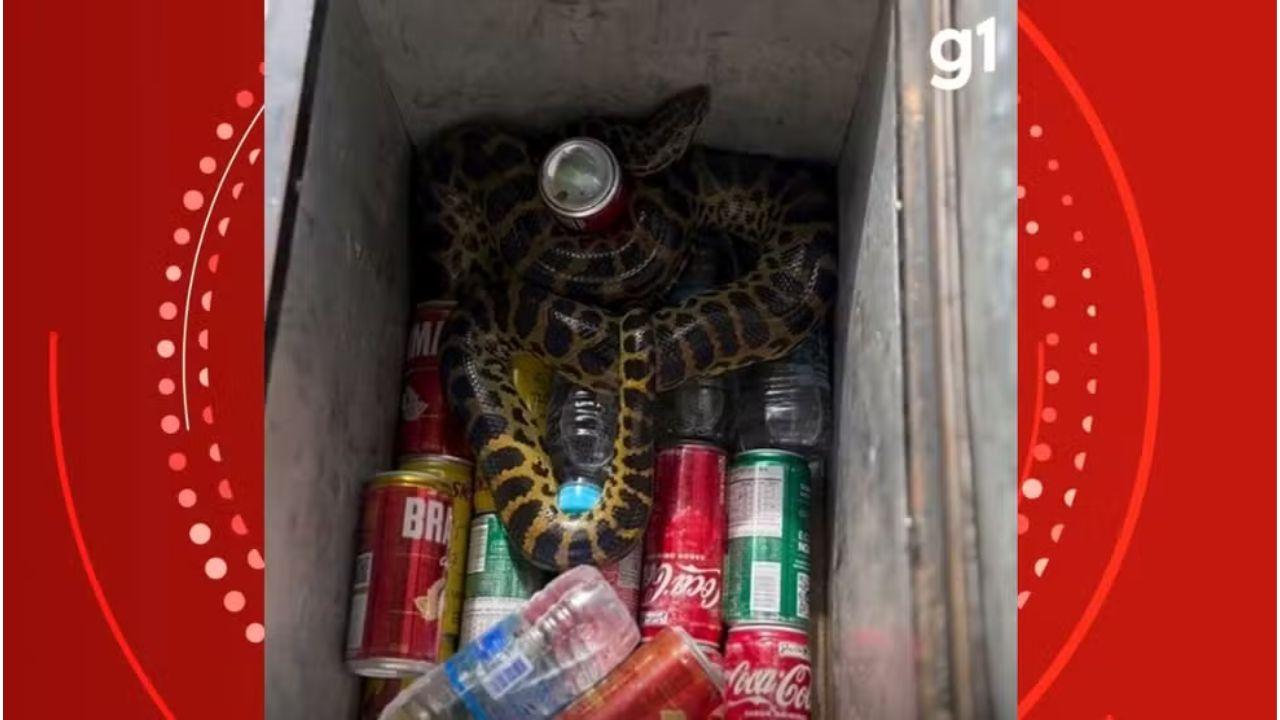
(499, 581)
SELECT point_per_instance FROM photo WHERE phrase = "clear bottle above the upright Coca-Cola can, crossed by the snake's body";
(701, 409)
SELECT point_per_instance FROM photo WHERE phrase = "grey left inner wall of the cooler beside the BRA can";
(336, 339)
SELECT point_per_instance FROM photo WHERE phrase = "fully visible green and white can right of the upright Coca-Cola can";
(767, 566)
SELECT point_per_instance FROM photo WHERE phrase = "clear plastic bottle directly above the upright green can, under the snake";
(785, 404)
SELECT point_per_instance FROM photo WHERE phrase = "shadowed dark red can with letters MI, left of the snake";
(427, 427)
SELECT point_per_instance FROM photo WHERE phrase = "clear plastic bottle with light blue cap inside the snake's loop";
(580, 430)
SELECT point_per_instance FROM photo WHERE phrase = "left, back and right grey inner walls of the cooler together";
(808, 79)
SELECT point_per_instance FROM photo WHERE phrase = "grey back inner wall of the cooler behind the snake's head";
(785, 74)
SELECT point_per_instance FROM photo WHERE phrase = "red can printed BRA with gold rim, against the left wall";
(397, 603)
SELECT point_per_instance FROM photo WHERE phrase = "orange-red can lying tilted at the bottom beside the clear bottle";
(668, 678)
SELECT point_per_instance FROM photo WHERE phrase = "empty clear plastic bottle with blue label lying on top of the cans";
(533, 663)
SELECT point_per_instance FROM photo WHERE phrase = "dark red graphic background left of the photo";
(109, 107)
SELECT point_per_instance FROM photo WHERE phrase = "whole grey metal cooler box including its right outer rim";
(916, 599)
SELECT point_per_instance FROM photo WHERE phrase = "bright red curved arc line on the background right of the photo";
(1149, 295)
